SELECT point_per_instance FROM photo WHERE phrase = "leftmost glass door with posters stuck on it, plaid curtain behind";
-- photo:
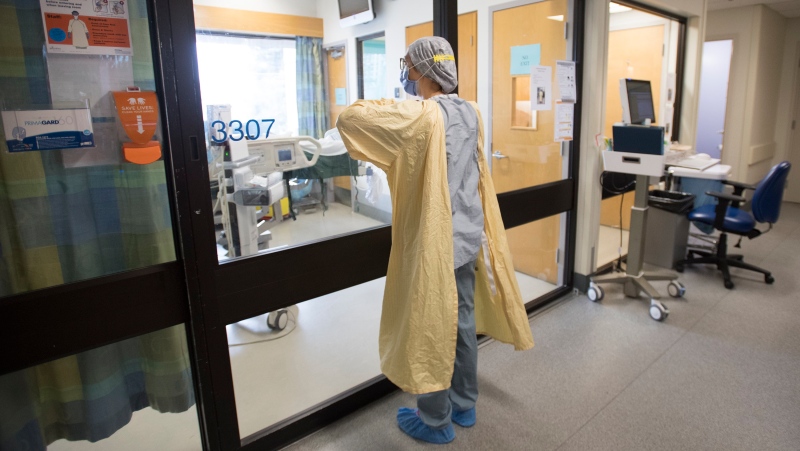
(92, 289)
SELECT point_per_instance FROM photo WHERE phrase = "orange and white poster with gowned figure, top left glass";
(87, 27)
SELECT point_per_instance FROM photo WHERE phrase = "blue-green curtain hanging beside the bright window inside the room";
(312, 99)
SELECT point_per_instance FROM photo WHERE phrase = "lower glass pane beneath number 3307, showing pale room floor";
(329, 346)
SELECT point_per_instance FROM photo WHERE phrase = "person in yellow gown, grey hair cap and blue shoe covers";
(449, 249)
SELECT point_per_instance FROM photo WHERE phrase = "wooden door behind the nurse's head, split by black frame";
(467, 51)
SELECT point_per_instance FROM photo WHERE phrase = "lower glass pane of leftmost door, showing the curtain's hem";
(103, 395)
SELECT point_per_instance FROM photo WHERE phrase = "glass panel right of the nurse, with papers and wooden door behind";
(534, 94)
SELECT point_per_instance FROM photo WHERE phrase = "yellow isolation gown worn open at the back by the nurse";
(419, 319)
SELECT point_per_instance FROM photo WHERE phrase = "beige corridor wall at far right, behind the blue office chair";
(758, 34)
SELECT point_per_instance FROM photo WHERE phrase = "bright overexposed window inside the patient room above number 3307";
(256, 75)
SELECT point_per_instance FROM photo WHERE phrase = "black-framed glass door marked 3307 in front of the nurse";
(290, 234)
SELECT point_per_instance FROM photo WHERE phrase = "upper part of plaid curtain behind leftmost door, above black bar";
(72, 214)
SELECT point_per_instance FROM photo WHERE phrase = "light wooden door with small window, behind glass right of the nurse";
(528, 155)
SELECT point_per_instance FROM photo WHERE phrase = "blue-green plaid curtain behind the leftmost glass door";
(62, 224)
